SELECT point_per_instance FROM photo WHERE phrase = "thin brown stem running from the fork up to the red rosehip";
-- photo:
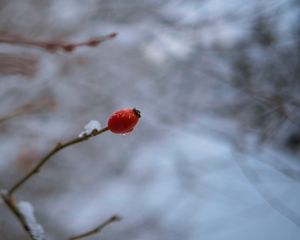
(55, 150)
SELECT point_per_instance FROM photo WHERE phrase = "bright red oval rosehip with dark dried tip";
(124, 120)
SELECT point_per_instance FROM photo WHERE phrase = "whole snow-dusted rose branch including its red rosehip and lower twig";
(24, 211)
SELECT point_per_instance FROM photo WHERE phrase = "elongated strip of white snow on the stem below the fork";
(27, 211)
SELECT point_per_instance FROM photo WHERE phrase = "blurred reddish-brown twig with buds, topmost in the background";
(53, 46)
